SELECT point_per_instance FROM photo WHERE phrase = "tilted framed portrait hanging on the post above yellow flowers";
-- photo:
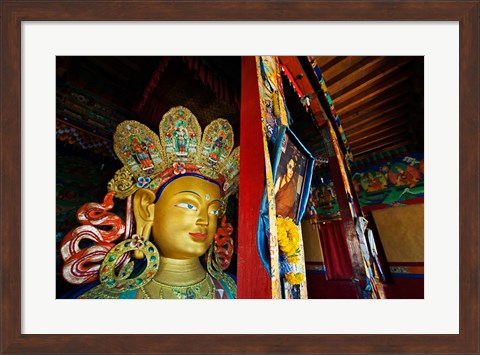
(292, 166)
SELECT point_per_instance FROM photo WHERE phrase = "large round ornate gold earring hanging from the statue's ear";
(120, 281)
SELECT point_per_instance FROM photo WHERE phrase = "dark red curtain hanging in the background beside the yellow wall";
(336, 256)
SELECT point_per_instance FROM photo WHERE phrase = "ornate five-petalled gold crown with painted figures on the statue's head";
(150, 161)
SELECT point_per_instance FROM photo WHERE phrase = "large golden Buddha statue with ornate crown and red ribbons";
(177, 200)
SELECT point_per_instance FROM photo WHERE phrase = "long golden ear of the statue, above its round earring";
(144, 210)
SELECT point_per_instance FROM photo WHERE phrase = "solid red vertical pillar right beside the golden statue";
(253, 280)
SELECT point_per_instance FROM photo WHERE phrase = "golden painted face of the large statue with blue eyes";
(186, 217)
